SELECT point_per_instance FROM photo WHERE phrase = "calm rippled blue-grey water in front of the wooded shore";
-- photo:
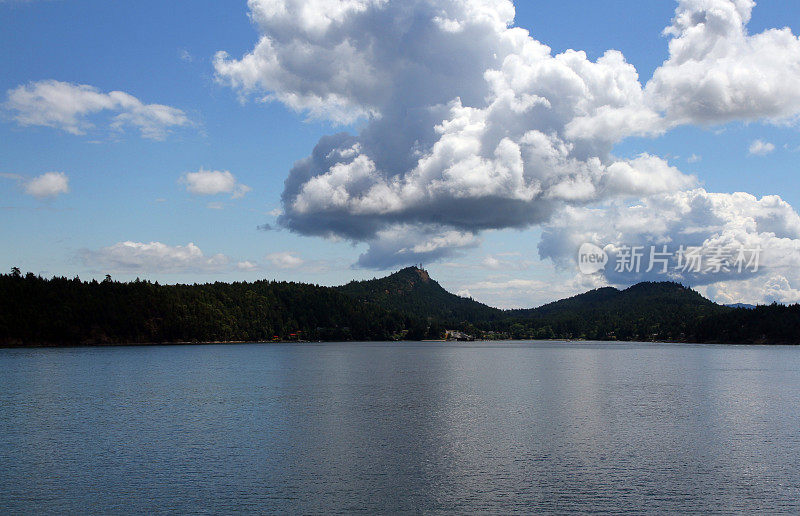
(401, 427)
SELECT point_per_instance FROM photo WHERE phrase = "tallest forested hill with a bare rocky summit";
(413, 293)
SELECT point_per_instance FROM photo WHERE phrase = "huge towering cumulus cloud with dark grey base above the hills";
(468, 125)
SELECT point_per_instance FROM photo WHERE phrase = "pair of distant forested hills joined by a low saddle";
(646, 311)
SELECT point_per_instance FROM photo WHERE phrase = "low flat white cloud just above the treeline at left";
(153, 257)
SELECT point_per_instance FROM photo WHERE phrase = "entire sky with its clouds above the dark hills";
(330, 140)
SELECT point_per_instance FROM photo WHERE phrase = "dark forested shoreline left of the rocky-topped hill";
(58, 311)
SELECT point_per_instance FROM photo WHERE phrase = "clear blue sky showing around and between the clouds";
(123, 187)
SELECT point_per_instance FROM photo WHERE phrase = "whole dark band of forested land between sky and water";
(407, 305)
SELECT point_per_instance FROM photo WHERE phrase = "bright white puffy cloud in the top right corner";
(717, 72)
